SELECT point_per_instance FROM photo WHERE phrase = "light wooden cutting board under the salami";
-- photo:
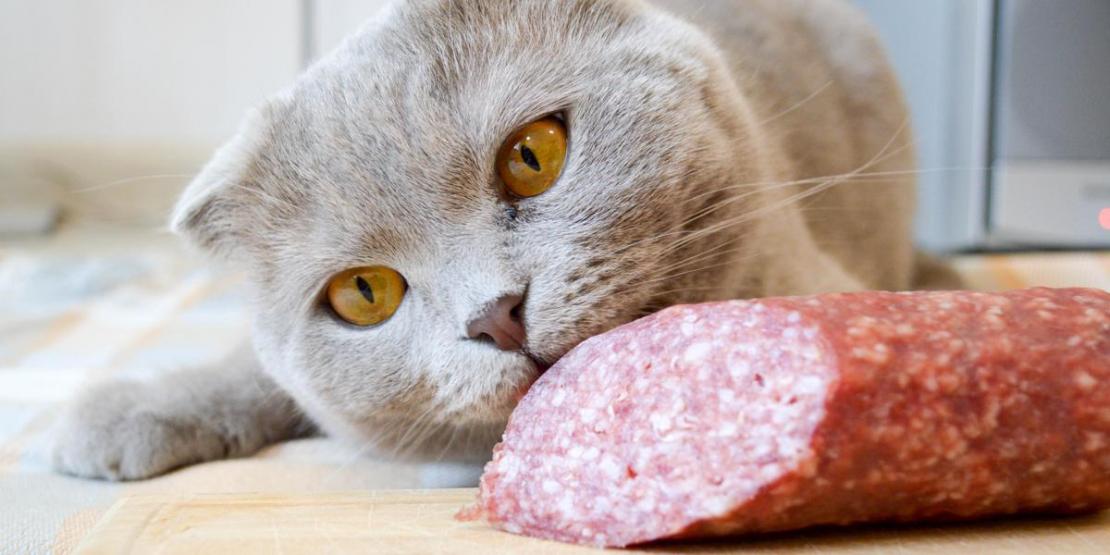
(422, 523)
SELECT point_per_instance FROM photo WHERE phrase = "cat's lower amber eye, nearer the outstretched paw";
(367, 297)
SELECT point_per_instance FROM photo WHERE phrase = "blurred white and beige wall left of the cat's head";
(109, 107)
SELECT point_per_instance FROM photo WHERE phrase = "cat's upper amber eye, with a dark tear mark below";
(532, 159)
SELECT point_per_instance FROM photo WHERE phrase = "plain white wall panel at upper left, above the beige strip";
(128, 72)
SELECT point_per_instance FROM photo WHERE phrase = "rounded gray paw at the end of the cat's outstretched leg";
(125, 431)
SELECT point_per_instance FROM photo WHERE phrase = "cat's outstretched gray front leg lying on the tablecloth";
(126, 430)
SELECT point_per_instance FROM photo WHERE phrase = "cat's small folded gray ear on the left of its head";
(210, 214)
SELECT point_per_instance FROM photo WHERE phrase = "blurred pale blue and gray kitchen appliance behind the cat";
(1012, 103)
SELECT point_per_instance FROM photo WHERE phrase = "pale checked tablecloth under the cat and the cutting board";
(90, 306)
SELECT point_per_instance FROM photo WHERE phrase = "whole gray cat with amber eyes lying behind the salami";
(468, 189)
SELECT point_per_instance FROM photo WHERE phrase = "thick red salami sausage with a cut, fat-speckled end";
(780, 415)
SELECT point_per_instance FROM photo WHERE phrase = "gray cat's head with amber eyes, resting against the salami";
(386, 156)
